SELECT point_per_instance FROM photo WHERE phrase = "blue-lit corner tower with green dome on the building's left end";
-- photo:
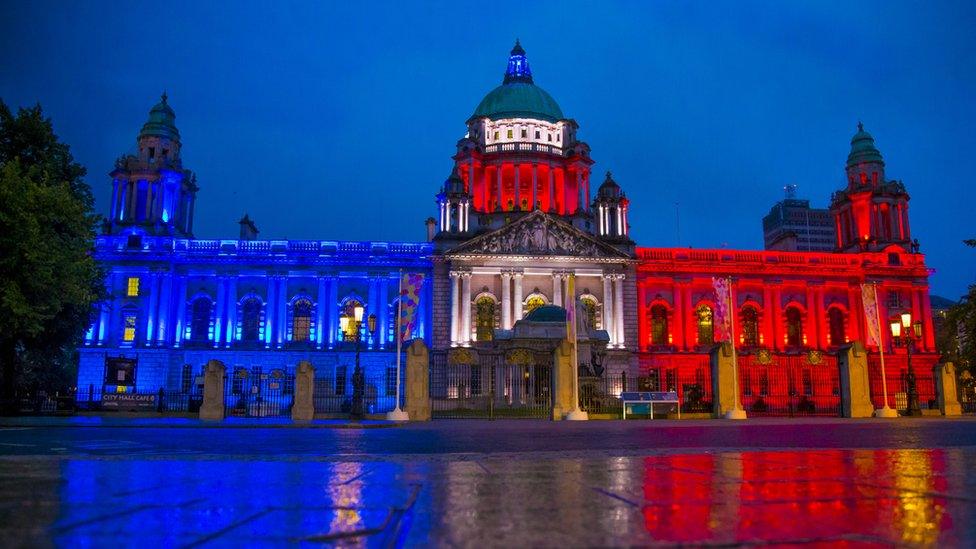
(151, 191)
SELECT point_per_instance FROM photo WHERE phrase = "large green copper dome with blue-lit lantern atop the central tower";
(518, 96)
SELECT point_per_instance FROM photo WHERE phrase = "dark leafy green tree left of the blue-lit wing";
(49, 281)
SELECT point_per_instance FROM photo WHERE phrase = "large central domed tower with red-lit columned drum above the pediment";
(520, 154)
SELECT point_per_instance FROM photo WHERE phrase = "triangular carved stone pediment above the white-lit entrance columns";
(538, 235)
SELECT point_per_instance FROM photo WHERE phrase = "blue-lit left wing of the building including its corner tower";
(176, 302)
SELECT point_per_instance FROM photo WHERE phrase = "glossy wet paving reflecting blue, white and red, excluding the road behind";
(914, 497)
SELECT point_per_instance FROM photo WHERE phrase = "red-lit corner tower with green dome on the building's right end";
(871, 213)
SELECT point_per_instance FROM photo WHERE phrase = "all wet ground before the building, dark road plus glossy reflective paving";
(475, 483)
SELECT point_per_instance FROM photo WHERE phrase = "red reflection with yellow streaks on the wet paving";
(880, 496)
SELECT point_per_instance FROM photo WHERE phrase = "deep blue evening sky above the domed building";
(338, 121)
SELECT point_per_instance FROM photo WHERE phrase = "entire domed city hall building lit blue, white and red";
(527, 238)
